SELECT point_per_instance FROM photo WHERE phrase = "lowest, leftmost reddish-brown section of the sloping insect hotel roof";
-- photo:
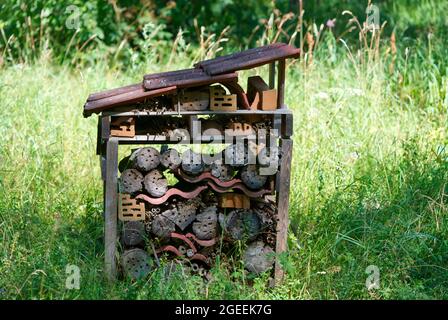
(124, 99)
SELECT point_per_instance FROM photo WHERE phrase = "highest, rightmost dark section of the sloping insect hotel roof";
(251, 60)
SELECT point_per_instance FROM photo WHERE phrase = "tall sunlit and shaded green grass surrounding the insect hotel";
(369, 184)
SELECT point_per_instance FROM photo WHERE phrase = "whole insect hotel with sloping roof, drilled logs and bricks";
(167, 201)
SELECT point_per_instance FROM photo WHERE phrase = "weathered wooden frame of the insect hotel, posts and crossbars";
(107, 148)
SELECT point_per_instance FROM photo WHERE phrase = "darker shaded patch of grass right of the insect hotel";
(394, 216)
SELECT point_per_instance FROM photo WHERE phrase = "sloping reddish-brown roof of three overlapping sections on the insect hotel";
(219, 70)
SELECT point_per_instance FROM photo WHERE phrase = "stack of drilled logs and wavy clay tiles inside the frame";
(178, 206)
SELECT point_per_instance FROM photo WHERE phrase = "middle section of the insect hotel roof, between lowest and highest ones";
(186, 80)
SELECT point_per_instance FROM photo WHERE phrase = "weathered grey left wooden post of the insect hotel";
(110, 216)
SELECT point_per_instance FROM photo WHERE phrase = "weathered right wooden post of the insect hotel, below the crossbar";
(283, 204)
